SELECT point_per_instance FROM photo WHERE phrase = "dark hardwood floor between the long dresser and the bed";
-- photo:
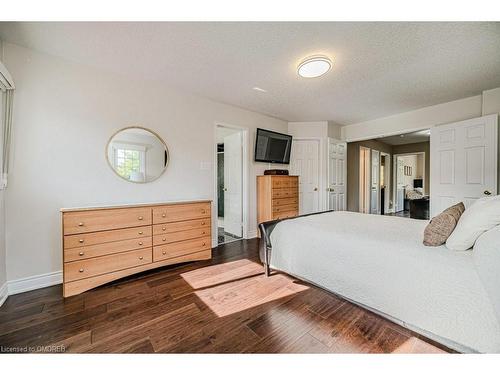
(225, 305)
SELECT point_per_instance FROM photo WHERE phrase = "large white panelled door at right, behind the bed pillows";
(463, 162)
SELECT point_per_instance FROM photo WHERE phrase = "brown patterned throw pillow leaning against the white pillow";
(441, 227)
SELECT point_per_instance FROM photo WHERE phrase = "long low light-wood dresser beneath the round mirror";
(102, 244)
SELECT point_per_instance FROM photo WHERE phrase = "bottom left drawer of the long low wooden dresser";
(109, 263)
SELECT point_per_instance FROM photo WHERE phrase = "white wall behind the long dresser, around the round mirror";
(64, 114)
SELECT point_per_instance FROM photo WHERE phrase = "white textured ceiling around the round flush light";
(379, 68)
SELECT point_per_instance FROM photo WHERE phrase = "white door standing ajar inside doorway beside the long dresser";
(233, 178)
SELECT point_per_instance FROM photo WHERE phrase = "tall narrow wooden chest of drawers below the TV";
(277, 197)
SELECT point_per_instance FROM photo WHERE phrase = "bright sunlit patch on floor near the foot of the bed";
(239, 285)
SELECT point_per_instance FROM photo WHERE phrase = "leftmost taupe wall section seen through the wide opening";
(353, 169)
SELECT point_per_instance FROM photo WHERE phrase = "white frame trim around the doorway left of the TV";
(244, 182)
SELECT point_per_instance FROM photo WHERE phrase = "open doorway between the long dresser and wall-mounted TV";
(230, 183)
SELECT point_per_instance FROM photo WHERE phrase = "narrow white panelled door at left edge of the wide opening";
(337, 175)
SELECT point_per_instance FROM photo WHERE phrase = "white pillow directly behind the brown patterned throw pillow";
(481, 216)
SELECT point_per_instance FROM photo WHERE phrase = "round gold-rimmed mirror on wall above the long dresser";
(137, 154)
